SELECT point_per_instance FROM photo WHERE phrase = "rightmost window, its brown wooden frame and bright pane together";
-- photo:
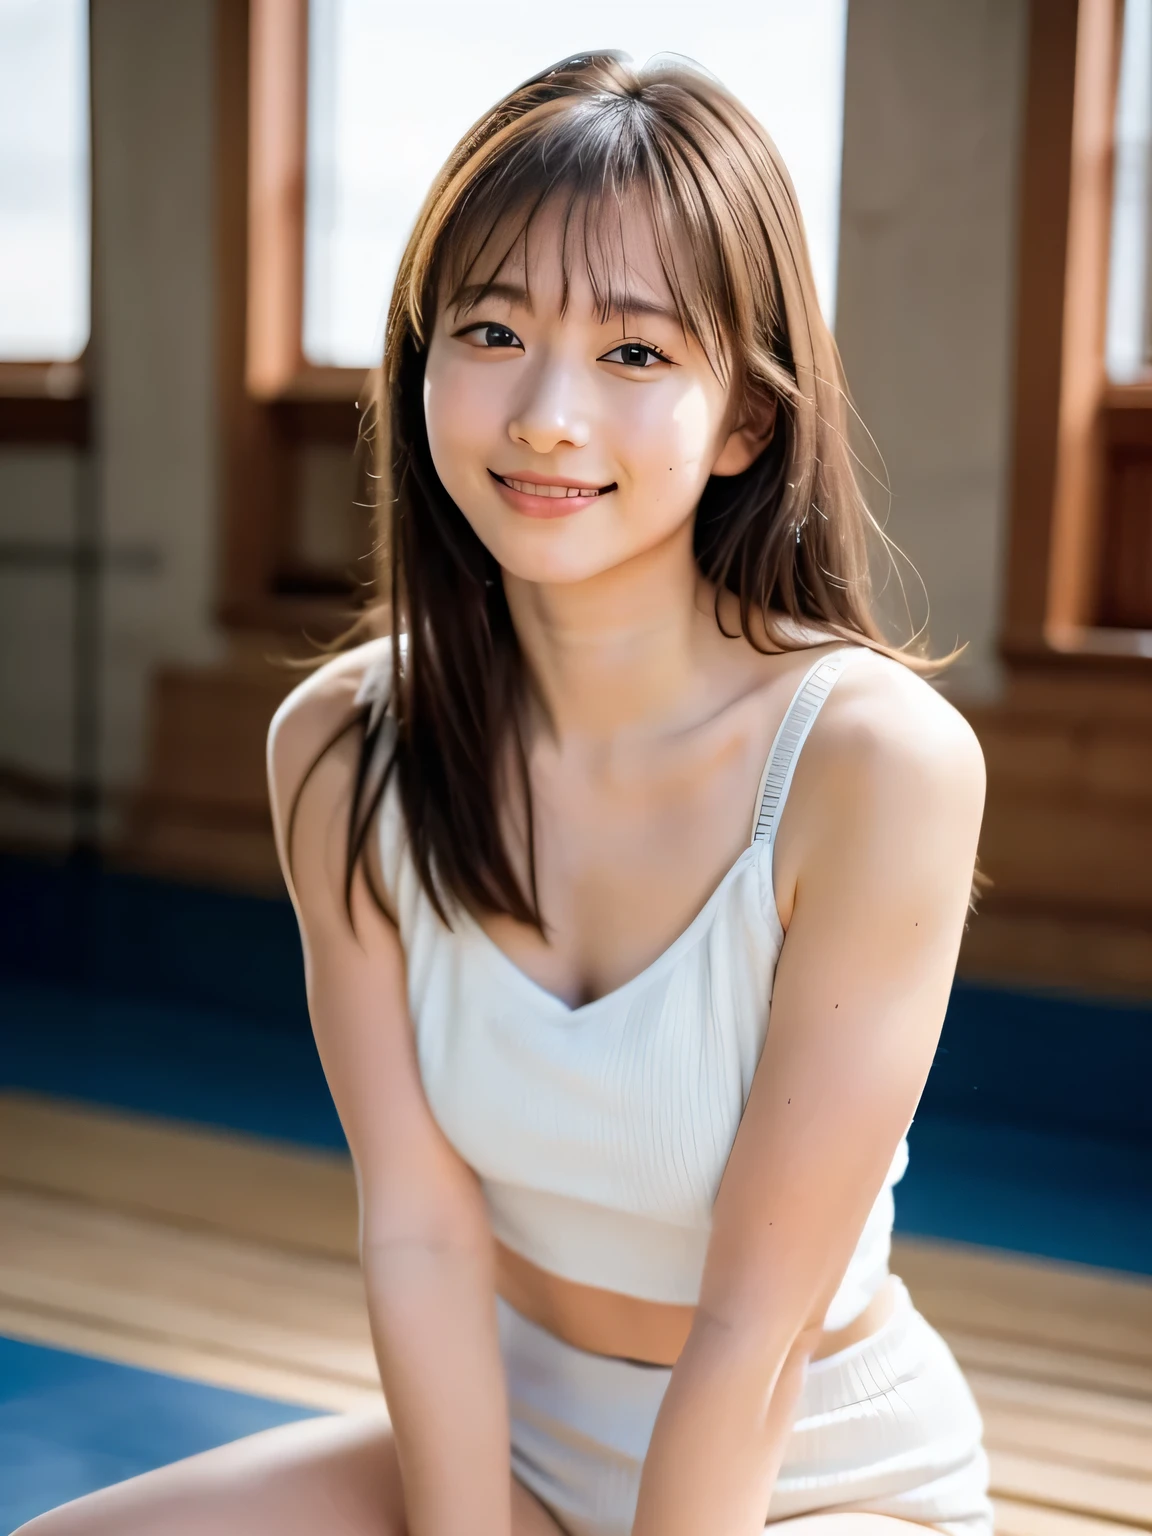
(1081, 554)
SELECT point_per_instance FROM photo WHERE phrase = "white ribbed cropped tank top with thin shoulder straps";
(600, 1134)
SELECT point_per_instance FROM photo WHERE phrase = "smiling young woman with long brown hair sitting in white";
(632, 869)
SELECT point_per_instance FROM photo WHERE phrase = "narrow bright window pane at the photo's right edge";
(1131, 271)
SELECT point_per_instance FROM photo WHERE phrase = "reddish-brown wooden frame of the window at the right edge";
(1068, 420)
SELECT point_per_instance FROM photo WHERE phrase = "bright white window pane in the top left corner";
(45, 242)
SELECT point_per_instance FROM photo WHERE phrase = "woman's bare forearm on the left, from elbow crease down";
(434, 1325)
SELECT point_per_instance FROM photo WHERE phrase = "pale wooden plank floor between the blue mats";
(233, 1262)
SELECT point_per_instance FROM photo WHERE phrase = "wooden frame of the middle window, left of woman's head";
(271, 400)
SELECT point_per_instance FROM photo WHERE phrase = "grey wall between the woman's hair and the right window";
(933, 108)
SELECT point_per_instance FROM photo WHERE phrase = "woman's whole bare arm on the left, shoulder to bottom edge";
(425, 1240)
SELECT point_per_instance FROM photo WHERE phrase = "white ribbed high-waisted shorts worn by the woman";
(887, 1426)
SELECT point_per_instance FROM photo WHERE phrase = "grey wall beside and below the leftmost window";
(153, 383)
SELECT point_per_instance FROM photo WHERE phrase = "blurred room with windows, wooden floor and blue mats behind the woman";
(202, 208)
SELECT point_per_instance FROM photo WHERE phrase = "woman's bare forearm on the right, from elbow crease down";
(720, 1438)
